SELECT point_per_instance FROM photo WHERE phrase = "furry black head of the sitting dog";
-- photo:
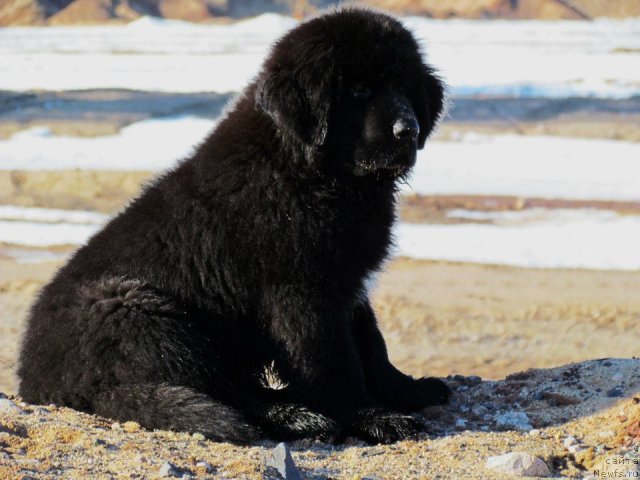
(352, 82)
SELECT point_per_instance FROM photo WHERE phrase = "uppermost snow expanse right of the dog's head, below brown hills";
(534, 58)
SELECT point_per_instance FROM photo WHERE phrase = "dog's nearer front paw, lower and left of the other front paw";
(380, 426)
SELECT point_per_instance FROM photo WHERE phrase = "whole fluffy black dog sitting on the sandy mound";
(251, 256)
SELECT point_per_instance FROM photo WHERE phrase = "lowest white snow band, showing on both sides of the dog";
(532, 238)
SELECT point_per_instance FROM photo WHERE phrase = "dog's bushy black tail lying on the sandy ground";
(169, 407)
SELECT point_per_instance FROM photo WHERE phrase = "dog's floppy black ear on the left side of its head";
(298, 98)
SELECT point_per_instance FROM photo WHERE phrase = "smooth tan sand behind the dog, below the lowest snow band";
(446, 318)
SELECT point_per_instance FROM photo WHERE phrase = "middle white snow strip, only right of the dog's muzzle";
(529, 166)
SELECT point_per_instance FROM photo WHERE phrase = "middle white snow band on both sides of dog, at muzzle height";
(527, 166)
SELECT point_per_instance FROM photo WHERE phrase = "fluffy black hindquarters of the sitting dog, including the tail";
(123, 350)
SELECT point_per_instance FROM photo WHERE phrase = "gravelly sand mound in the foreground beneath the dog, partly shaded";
(577, 419)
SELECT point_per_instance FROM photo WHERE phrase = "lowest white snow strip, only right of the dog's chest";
(539, 239)
